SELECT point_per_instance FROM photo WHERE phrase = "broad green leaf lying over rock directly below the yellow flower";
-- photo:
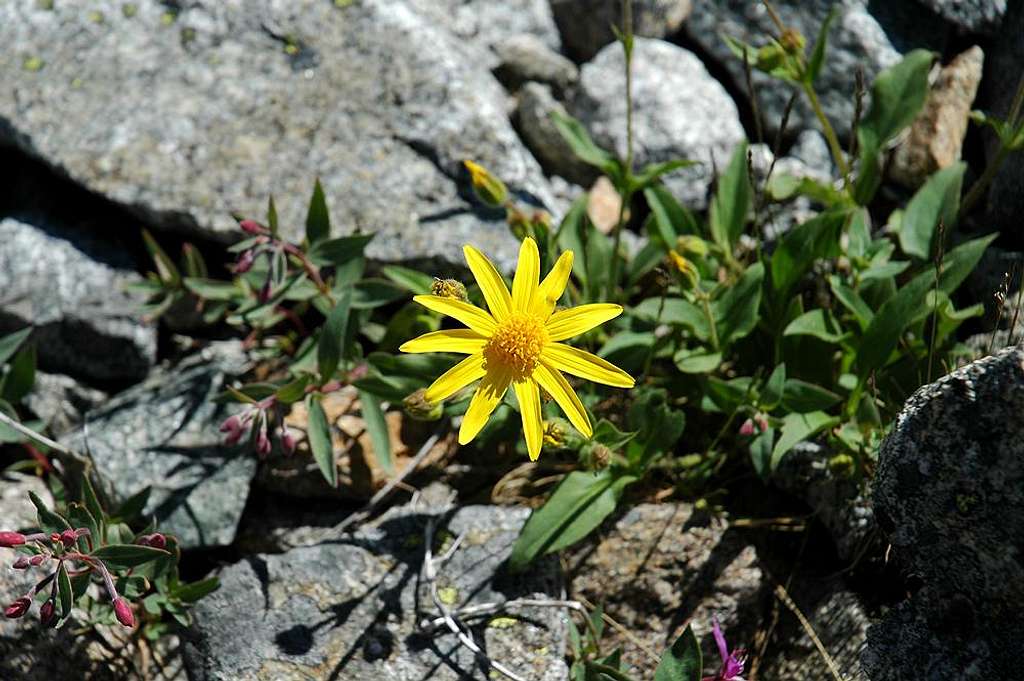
(576, 508)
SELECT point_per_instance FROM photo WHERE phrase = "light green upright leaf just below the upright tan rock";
(937, 201)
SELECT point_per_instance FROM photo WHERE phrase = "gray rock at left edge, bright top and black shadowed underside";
(74, 290)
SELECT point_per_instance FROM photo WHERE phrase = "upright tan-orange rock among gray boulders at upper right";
(936, 136)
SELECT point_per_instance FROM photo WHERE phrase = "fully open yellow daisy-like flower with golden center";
(518, 346)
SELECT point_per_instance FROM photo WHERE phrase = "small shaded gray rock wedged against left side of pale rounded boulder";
(536, 104)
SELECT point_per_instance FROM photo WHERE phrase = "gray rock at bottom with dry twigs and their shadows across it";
(351, 609)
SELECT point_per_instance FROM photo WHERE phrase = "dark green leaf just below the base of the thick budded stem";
(818, 238)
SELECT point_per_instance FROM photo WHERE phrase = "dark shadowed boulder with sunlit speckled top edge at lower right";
(950, 496)
